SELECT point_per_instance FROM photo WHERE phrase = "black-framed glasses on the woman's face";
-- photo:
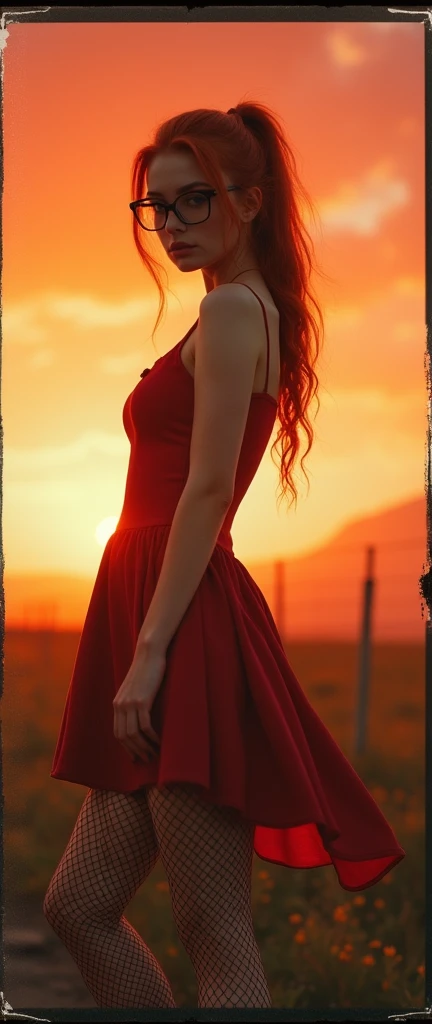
(191, 208)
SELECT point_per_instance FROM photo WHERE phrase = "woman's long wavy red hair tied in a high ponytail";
(250, 145)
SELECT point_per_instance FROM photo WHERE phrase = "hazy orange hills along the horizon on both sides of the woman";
(323, 589)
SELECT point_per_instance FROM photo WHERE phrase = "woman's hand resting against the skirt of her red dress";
(134, 702)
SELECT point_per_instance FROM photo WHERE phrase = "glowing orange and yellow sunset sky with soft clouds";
(79, 309)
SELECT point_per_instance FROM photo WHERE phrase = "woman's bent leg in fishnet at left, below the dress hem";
(111, 852)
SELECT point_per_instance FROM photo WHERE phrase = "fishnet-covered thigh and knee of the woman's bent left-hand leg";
(111, 852)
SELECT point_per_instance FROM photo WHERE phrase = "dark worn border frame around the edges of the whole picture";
(203, 14)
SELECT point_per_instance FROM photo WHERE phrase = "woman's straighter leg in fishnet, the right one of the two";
(207, 854)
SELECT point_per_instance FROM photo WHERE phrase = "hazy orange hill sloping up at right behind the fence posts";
(324, 590)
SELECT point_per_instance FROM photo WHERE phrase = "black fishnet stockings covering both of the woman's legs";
(207, 855)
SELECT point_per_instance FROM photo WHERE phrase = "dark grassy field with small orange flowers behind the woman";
(322, 947)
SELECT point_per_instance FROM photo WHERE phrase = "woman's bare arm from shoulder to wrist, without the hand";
(227, 353)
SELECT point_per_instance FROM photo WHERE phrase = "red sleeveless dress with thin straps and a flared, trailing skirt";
(231, 713)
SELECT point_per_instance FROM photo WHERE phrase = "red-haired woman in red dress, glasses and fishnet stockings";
(213, 750)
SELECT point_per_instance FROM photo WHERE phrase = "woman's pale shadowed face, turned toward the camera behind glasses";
(168, 176)
